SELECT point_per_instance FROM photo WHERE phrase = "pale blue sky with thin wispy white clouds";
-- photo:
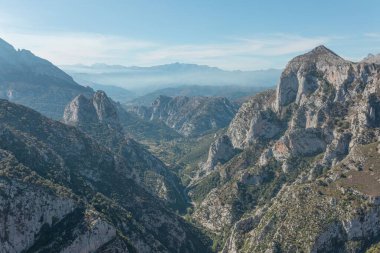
(230, 34)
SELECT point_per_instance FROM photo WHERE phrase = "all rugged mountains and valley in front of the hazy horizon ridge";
(291, 169)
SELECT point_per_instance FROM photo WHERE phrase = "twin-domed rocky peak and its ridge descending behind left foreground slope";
(99, 116)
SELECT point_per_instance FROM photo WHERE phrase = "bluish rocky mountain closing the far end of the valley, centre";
(189, 116)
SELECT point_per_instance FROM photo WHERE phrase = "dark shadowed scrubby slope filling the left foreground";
(61, 191)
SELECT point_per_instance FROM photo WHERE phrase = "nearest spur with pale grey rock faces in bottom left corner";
(31, 206)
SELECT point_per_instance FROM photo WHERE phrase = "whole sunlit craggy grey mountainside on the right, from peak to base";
(293, 140)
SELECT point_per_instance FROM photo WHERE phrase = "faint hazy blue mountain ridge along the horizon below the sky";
(147, 79)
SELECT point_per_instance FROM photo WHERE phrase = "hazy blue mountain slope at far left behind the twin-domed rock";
(29, 80)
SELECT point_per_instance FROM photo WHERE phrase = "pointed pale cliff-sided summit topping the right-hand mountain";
(307, 73)
